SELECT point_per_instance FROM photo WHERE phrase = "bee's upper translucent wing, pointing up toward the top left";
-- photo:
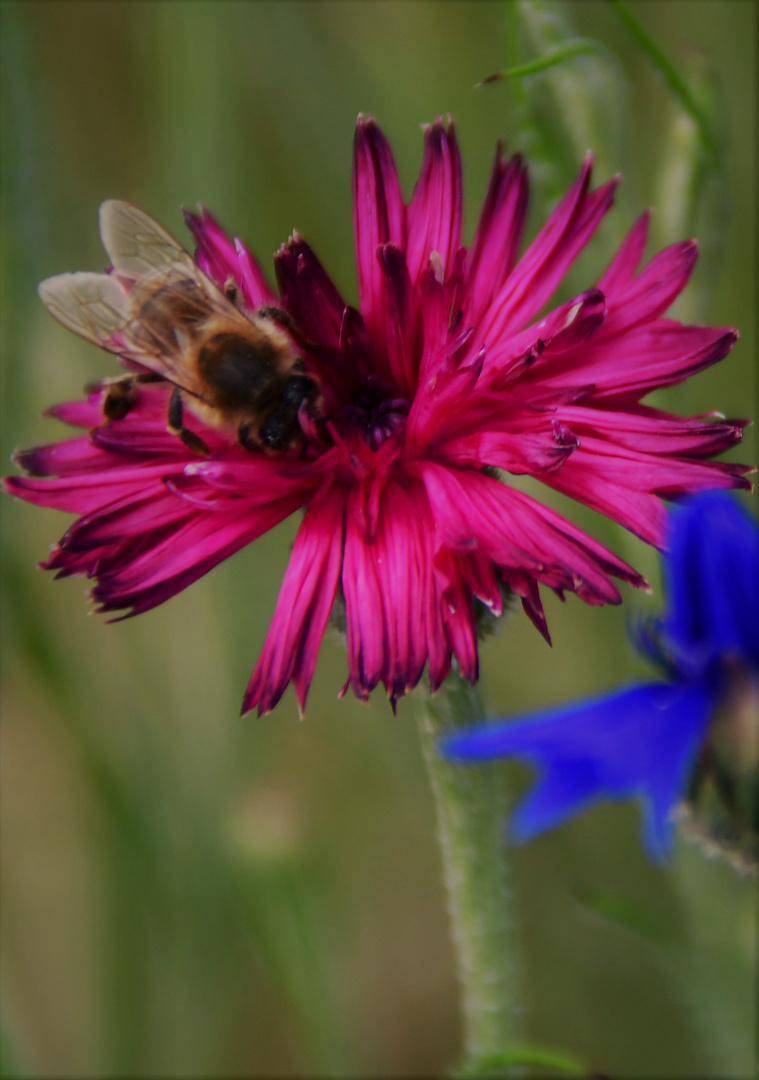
(135, 244)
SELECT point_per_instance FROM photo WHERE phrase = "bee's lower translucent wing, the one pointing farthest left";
(92, 305)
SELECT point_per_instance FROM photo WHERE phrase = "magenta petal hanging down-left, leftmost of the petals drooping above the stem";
(306, 600)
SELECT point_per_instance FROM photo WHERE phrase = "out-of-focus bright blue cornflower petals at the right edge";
(643, 740)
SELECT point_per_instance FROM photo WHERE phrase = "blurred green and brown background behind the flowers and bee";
(188, 895)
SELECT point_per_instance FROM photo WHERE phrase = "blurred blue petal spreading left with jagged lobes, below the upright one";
(640, 741)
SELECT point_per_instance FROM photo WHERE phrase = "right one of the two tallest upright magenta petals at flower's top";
(435, 213)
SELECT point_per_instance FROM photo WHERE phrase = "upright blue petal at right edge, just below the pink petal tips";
(713, 582)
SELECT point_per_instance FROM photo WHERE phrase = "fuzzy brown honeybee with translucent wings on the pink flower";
(237, 371)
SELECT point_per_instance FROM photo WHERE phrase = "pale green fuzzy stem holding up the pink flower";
(471, 812)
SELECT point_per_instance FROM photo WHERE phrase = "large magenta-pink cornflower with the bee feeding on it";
(449, 372)
